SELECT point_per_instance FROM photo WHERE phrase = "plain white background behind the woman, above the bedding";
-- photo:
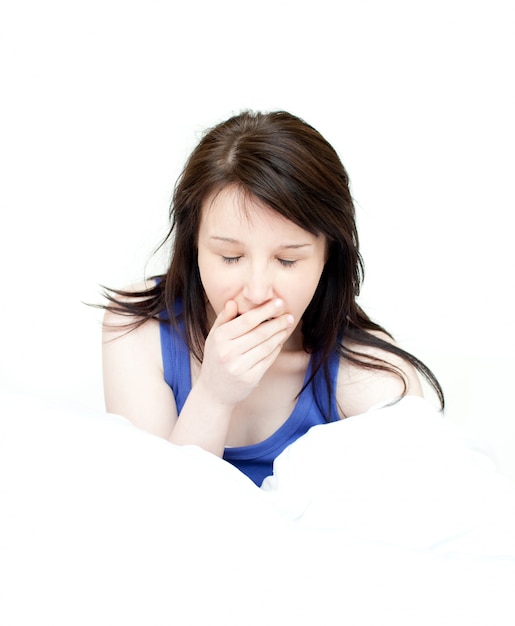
(101, 102)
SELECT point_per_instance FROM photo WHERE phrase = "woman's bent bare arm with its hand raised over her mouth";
(239, 349)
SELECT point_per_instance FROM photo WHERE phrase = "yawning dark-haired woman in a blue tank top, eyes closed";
(254, 335)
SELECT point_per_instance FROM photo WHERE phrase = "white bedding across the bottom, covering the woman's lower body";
(390, 517)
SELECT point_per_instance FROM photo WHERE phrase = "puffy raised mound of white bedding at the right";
(402, 474)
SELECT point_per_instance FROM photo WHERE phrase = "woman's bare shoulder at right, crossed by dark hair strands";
(361, 388)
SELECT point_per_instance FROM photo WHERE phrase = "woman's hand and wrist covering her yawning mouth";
(240, 349)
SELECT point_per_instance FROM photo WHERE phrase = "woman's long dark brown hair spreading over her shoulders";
(286, 164)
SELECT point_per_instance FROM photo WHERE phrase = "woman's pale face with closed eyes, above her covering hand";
(249, 253)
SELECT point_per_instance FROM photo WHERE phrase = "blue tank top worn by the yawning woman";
(256, 461)
